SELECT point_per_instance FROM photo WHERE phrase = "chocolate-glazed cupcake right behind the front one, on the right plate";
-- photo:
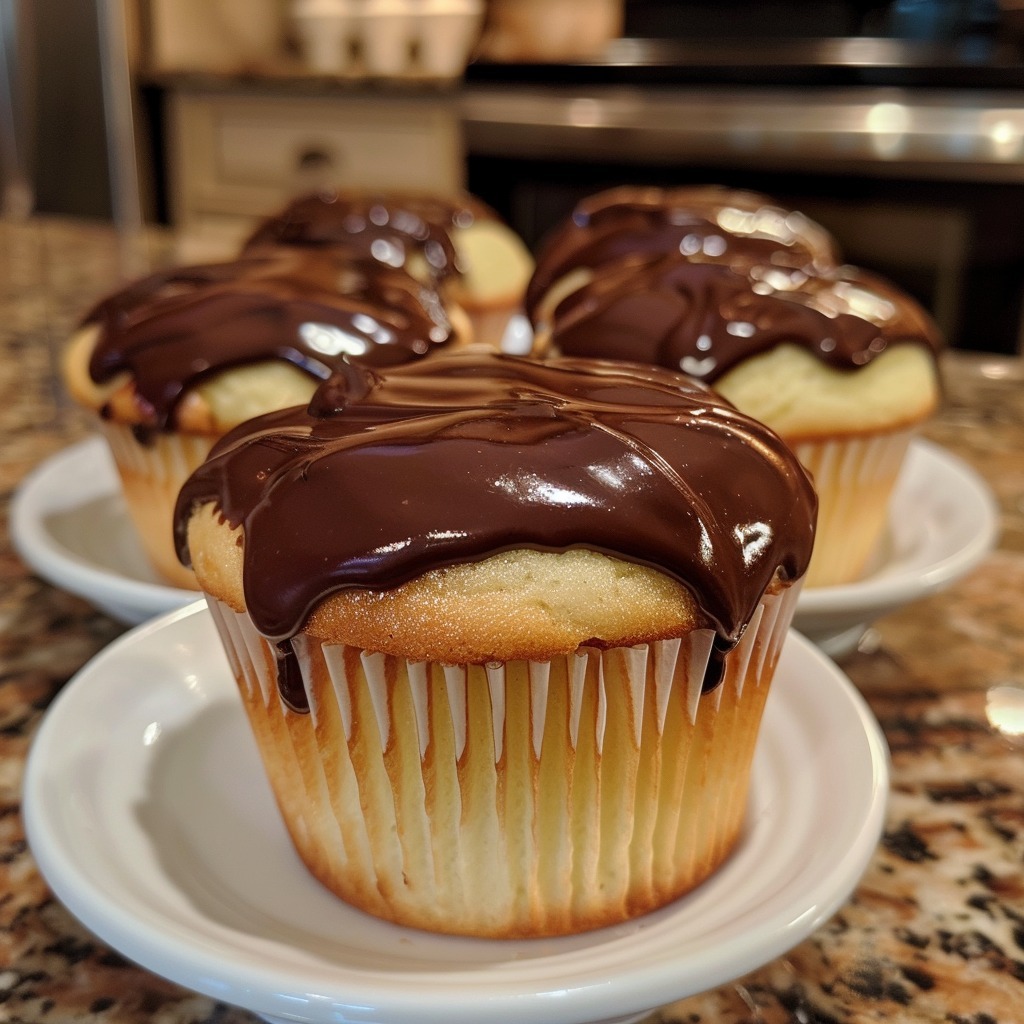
(840, 363)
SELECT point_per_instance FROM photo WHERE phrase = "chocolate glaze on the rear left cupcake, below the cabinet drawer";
(387, 227)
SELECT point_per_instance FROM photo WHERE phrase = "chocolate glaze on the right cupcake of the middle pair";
(705, 318)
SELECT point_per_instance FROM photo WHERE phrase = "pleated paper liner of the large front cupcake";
(511, 799)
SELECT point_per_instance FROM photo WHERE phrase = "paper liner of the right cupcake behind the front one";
(855, 479)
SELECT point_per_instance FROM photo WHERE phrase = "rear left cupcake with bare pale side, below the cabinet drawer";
(458, 244)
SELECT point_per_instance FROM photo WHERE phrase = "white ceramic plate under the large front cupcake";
(149, 815)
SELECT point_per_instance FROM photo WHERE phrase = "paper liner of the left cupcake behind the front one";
(152, 476)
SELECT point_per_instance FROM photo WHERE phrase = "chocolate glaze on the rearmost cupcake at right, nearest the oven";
(736, 228)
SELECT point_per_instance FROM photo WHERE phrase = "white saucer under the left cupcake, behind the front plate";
(70, 525)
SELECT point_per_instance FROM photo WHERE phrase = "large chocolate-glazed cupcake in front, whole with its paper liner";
(504, 630)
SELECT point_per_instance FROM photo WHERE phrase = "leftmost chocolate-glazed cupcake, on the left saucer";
(172, 362)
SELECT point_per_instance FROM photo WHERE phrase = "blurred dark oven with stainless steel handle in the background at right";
(913, 153)
